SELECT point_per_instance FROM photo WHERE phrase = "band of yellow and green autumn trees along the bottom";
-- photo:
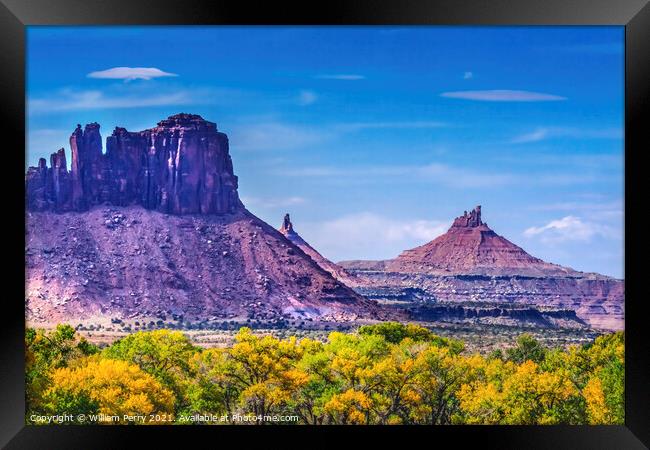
(387, 373)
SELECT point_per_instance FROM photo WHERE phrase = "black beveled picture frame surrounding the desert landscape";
(634, 15)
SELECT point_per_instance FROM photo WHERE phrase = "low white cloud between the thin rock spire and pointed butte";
(367, 235)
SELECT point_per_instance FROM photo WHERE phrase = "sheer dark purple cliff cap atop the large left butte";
(181, 166)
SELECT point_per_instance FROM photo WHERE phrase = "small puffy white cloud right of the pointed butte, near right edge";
(570, 228)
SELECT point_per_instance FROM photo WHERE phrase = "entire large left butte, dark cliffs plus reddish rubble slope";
(155, 229)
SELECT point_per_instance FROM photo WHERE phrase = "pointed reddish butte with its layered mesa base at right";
(472, 263)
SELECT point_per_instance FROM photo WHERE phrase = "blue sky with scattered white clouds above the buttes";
(373, 138)
